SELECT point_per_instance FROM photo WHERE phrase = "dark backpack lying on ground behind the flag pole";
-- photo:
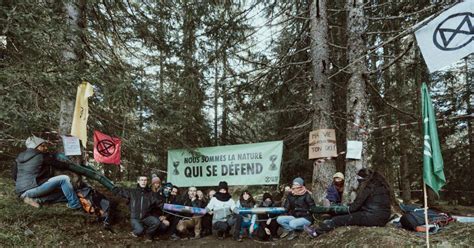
(415, 217)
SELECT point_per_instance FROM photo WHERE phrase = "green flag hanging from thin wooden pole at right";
(433, 174)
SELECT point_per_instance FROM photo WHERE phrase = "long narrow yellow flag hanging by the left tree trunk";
(81, 112)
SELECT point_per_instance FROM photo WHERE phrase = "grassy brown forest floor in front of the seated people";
(55, 225)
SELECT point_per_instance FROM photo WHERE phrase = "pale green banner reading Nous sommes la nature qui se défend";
(249, 164)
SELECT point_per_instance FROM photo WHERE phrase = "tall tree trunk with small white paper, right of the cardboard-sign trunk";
(356, 94)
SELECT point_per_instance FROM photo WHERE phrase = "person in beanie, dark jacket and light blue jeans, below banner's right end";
(298, 204)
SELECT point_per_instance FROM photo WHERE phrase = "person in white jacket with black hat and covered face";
(221, 207)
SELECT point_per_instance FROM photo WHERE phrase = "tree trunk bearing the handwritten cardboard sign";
(322, 93)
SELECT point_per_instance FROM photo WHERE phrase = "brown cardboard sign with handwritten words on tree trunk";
(322, 143)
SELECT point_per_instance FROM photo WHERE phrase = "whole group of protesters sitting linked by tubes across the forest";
(36, 185)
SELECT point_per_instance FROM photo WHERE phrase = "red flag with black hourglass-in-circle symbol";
(106, 148)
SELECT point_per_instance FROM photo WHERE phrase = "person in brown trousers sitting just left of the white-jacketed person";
(192, 221)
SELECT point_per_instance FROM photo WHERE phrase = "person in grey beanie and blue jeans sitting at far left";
(34, 180)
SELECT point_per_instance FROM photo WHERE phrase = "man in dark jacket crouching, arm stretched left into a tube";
(142, 201)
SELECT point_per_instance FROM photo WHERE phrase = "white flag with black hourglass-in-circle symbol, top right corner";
(449, 37)
